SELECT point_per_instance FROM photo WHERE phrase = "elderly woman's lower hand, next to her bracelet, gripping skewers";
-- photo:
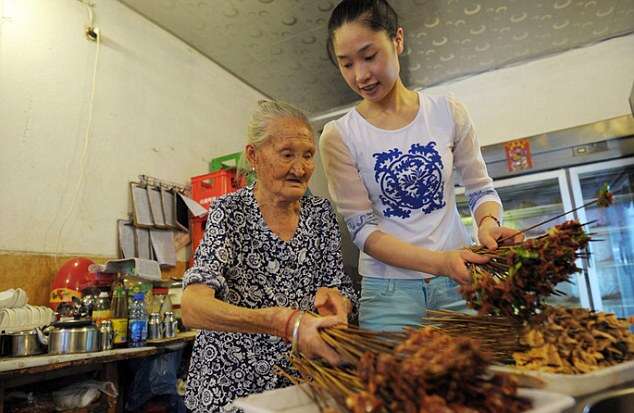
(311, 344)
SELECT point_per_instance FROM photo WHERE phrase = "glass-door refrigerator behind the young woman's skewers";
(567, 172)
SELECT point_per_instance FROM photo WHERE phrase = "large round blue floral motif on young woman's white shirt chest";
(410, 181)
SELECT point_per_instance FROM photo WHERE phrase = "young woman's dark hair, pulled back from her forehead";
(375, 14)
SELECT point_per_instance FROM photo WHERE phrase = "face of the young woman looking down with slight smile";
(368, 60)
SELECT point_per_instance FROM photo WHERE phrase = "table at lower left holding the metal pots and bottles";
(20, 371)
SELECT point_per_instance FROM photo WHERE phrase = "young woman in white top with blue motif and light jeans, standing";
(389, 164)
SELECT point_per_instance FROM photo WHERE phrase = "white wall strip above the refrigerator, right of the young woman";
(570, 89)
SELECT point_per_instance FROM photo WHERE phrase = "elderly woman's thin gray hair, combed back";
(267, 111)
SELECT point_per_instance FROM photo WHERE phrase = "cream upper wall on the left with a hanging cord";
(160, 109)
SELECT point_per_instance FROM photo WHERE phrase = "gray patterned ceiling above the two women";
(278, 46)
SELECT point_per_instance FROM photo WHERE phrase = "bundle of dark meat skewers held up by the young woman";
(519, 277)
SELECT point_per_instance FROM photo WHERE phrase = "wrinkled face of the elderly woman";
(285, 162)
